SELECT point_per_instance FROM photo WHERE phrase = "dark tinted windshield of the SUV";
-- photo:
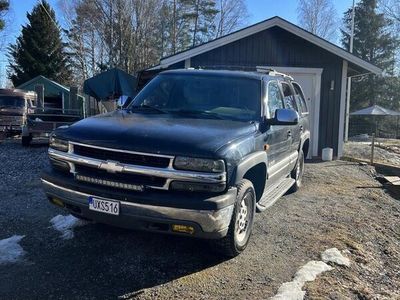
(202, 96)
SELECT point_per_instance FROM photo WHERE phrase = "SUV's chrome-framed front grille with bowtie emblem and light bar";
(120, 168)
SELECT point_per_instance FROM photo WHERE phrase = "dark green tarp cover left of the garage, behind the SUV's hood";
(110, 84)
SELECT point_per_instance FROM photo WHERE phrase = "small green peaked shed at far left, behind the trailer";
(55, 95)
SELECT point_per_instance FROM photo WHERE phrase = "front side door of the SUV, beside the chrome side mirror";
(277, 136)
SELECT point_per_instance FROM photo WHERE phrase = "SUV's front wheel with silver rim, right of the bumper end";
(239, 232)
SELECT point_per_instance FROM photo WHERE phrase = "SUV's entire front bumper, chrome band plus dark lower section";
(207, 223)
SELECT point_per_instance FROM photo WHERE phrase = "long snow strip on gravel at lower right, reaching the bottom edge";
(293, 290)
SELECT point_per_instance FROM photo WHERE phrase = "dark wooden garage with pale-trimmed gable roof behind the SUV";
(320, 67)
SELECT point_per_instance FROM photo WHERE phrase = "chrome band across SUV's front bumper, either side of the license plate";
(209, 220)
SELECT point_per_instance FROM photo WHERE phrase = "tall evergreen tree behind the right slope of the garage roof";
(373, 42)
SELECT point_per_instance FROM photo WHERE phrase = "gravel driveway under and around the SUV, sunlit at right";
(340, 205)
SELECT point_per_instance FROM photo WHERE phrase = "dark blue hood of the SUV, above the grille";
(157, 133)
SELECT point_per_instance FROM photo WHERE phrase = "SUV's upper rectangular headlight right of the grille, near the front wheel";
(199, 164)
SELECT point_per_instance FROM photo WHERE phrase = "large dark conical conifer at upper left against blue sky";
(39, 49)
